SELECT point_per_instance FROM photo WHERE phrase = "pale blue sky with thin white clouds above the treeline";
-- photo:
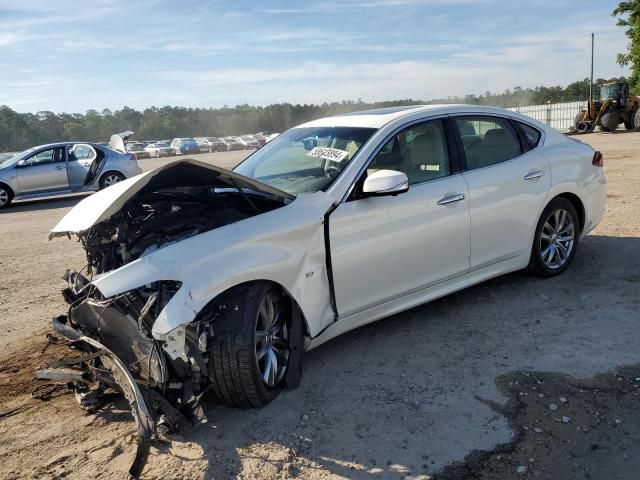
(71, 56)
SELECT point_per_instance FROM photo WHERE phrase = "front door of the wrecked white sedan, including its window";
(383, 248)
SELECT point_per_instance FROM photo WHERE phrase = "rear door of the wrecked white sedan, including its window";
(508, 183)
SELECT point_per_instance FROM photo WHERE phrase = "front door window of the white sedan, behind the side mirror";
(420, 151)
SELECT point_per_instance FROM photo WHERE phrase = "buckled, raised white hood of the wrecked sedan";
(105, 203)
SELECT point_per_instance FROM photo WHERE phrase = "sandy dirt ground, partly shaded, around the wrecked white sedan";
(447, 390)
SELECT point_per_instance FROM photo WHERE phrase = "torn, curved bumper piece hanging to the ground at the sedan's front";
(99, 367)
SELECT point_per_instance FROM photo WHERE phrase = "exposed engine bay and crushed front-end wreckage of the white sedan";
(114, 334)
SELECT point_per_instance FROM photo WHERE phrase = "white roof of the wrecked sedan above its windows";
(379, 117)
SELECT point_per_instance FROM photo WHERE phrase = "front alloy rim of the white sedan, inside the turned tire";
(272, 344)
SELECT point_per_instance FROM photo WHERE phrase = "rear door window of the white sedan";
(487, 140)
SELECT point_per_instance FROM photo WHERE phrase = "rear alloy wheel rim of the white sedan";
(557, 239)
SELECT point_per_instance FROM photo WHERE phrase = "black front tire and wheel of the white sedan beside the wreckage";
(240, 377)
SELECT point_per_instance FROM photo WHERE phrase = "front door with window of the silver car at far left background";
(45, 170)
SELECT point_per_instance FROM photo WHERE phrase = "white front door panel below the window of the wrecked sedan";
(374, 243)
